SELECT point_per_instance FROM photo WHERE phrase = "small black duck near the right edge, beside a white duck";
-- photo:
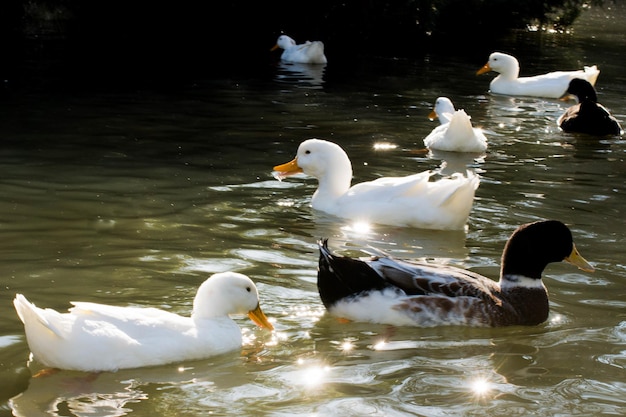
(587, 116)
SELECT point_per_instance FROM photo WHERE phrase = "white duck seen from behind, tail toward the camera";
(456, 133)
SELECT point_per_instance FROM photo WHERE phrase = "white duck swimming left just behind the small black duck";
(550, 85)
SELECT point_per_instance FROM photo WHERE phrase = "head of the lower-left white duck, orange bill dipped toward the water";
(229, 293)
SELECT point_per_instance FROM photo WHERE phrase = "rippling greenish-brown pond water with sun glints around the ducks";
(134, 198)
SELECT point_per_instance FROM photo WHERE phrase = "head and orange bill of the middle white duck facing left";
(320, 159)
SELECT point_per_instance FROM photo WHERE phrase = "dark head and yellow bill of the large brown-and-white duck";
(533, 246)
